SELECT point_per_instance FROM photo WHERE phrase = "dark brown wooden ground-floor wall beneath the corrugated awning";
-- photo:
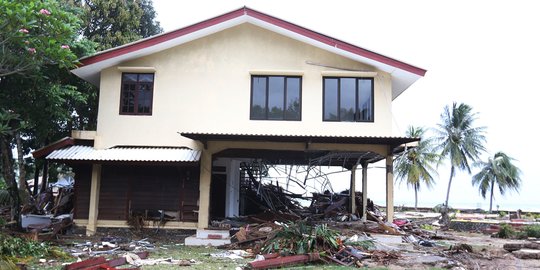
(140, 187)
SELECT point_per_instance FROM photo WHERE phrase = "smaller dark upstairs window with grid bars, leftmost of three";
(137, 93)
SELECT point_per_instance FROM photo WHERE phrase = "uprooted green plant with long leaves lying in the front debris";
(302, 238)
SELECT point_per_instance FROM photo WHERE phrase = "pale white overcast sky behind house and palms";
(482, 53)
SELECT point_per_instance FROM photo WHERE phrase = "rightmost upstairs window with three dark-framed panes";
(348, 99)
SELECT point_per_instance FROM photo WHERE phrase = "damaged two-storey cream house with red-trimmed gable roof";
(181, 112)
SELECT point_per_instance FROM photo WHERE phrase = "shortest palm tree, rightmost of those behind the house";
(499, 171)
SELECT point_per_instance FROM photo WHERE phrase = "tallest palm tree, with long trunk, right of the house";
(459, 140)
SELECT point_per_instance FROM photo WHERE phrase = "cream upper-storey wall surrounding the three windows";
(204, 86)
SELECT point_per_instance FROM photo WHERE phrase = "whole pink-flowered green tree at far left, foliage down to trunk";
(35, 34)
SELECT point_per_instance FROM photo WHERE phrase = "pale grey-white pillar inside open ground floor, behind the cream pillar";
(232, 197)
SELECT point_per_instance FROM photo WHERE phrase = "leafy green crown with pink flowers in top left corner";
(33, 34)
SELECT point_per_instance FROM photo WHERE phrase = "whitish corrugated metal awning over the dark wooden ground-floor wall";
(126, 154)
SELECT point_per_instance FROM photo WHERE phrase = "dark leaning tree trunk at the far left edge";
(9, 178)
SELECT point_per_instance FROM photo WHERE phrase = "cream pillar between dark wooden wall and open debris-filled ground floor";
(204, 189)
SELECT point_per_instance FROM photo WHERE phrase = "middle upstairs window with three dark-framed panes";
(276, 98)
